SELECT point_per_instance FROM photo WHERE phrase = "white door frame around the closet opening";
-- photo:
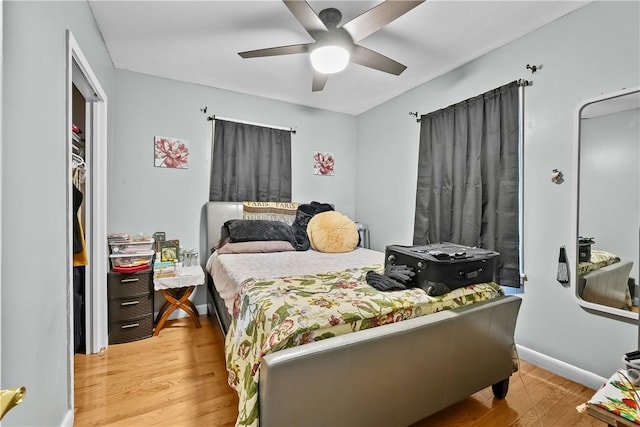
(79, 72)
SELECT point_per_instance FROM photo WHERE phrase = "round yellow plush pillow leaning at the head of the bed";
(332, 232)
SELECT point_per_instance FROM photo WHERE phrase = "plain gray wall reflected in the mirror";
(610, 183)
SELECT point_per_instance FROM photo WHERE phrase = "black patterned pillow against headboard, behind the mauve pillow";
(252, 230)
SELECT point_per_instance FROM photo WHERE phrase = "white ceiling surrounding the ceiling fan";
(199, 41)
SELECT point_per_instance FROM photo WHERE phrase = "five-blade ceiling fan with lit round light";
(335, 46)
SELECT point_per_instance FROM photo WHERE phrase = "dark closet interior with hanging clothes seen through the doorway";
(78, 191)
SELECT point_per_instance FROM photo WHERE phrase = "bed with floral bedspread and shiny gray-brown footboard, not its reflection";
(393, 369)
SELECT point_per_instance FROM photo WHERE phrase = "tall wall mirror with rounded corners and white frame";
(607, 154)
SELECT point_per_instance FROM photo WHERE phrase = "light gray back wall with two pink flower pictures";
(144, 198)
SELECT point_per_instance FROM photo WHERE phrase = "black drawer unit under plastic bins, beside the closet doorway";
(130, 306)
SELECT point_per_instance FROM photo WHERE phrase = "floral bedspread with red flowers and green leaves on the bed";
(274, 314)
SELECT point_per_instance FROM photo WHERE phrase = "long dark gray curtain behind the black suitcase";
(468, 178)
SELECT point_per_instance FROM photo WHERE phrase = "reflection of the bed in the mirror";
(604, 279)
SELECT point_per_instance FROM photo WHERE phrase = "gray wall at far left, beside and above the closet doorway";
(34, 205)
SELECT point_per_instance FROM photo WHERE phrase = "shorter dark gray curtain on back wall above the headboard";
(250, 163)
